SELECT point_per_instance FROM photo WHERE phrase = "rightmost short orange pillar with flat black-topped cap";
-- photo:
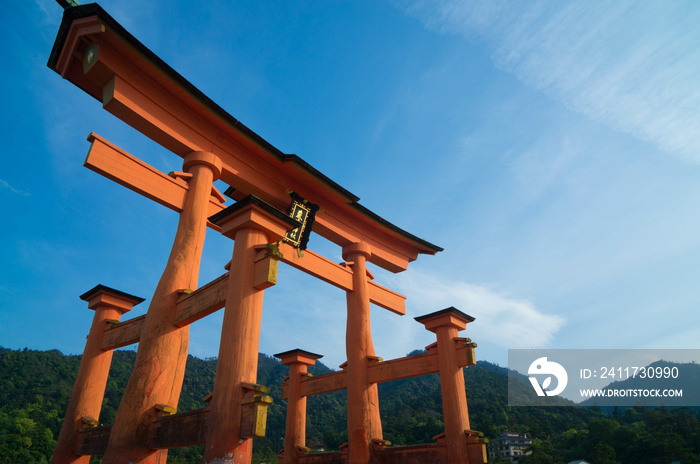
(446, 324)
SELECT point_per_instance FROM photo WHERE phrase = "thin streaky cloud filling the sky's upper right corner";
(633, 66)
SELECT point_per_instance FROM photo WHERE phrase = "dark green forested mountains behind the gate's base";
(35, 387)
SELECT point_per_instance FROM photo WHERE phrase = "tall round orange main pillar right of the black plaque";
(364, 422)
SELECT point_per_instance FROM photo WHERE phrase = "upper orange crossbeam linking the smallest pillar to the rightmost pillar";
(386, 371)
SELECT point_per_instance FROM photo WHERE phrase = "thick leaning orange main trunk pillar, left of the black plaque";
(160, 362)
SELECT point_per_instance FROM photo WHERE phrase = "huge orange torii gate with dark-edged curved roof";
(96, 54)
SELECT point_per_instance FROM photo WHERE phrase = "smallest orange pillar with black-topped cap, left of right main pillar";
(295, 432)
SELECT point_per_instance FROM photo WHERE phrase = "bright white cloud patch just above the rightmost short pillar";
(500, 320)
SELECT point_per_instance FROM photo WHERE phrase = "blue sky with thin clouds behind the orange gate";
(552, 148)
